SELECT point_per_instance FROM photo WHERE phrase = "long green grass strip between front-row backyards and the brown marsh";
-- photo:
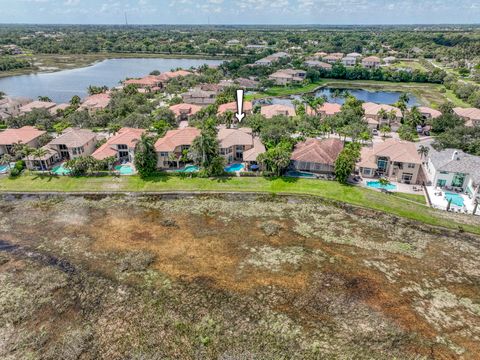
(396, 205)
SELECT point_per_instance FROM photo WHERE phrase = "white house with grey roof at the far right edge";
(454, 169)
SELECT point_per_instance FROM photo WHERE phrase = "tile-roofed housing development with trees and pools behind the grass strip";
(289, 128)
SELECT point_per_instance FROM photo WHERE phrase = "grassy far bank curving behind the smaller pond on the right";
(427, 94)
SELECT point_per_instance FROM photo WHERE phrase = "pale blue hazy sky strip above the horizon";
(323, 12)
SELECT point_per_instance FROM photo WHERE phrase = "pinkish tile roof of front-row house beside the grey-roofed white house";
(395, 150)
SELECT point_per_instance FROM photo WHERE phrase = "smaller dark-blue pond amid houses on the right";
(336, 95)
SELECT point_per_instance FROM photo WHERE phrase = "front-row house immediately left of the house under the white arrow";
(171, 146)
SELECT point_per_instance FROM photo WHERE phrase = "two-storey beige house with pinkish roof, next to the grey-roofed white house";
(393, 159)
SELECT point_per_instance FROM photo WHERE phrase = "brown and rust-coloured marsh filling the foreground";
(231, 277)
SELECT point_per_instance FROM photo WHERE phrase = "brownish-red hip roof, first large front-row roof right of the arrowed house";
(324, 151)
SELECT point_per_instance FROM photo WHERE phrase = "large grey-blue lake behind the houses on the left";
(62, 85)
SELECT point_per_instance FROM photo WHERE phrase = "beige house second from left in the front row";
(74, 143)
